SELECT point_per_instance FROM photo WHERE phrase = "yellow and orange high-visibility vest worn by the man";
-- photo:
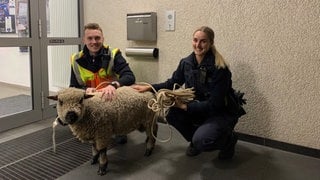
(88, 78)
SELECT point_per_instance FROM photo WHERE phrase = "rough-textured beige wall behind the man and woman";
(273, 48)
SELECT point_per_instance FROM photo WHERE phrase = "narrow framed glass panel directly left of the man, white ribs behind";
(61, 38)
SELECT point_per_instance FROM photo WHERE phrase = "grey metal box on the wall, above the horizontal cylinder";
(142, 26)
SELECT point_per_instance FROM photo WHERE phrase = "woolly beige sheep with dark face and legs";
(94, 120)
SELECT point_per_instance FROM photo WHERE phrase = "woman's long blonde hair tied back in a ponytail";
(220, 62)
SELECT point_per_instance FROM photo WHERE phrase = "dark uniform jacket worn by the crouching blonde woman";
(210, 84)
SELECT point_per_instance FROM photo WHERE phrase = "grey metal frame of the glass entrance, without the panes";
(38, 43)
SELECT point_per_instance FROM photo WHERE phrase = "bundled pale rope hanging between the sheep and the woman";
(166, 98)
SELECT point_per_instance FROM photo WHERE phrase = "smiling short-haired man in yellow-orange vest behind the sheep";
(100, 68)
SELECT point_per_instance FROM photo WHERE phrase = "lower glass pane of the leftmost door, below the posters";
(15, 82)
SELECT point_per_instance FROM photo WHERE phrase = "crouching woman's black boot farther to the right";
(228, 151)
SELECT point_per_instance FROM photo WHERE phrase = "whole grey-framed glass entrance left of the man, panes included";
(37, 38)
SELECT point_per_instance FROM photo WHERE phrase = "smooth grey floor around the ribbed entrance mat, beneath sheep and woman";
(169, 161)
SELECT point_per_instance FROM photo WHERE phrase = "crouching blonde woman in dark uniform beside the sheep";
(204, 122)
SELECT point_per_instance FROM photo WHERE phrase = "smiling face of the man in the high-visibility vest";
(93, 39)
